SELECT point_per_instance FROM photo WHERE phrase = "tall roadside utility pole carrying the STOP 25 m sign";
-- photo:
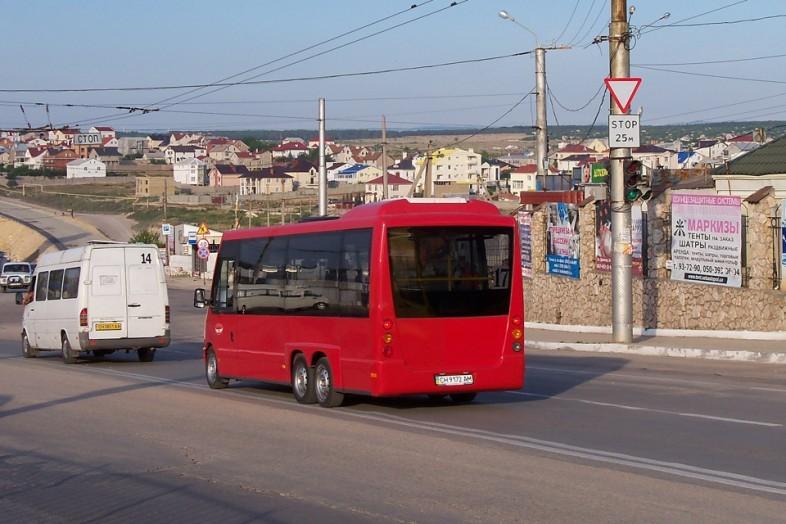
(621, 277)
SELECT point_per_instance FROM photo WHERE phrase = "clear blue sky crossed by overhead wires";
(84, 44)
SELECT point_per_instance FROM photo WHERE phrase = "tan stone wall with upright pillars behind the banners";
(659, 302)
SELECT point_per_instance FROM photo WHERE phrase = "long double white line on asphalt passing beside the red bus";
(594, 455)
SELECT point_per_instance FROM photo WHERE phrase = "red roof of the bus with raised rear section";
(404, 211)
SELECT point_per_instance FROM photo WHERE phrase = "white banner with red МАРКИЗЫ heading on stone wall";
(706, 239)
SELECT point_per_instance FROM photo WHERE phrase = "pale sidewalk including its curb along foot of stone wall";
(745, 348)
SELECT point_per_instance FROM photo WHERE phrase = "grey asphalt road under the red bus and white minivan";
(590, 438)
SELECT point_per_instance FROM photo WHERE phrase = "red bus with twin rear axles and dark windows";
(407, 296)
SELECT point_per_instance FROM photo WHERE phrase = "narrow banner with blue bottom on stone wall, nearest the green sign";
(562, 240)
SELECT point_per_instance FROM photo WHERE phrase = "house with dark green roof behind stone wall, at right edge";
(766, 166)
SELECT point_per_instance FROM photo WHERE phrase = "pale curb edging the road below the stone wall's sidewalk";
(664, 351)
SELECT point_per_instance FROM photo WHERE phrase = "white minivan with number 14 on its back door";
(96, 299)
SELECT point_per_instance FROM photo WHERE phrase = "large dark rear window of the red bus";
(450, 271)
